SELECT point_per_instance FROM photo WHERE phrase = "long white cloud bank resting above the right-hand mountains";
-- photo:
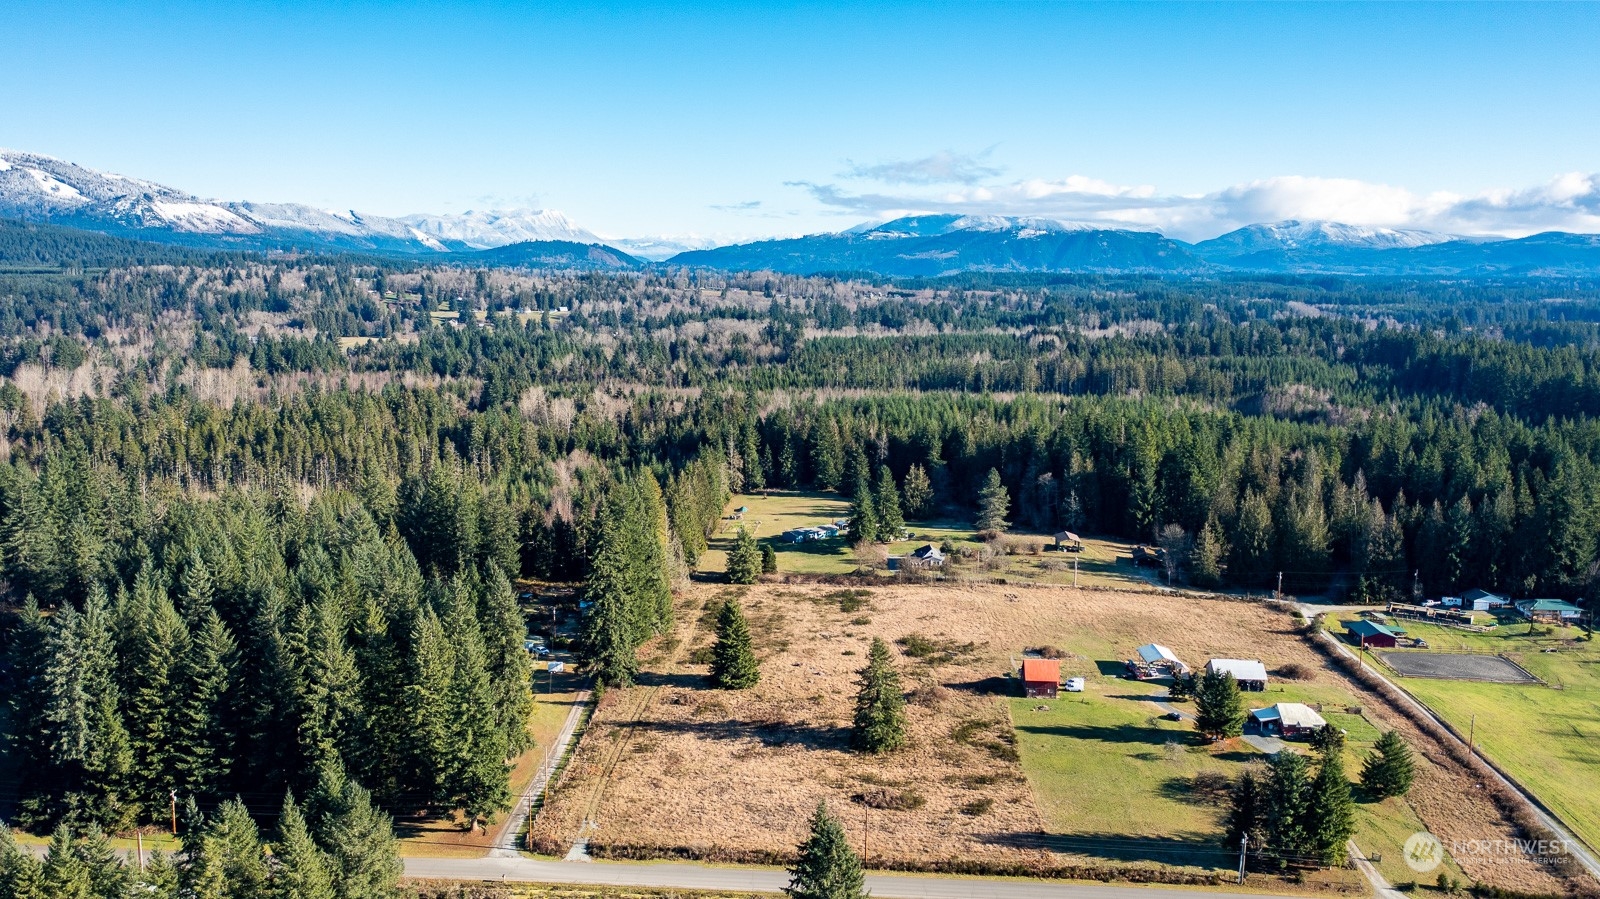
(1569, 202)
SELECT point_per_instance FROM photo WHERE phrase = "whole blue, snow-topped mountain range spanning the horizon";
(46, 190)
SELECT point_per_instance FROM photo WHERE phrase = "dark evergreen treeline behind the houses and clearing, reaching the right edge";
(1463, 500)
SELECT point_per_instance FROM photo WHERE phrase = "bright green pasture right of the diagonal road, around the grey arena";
(1543, 735)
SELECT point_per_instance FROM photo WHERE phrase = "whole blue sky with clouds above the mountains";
(764, 119)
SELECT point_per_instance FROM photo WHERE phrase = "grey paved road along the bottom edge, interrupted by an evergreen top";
(767, 881)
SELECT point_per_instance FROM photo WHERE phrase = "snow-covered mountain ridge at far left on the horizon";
(41, 188)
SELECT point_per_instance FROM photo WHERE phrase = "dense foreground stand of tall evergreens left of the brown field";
(246, 645)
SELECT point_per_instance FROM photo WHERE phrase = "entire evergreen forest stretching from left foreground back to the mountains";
(260, 519)
